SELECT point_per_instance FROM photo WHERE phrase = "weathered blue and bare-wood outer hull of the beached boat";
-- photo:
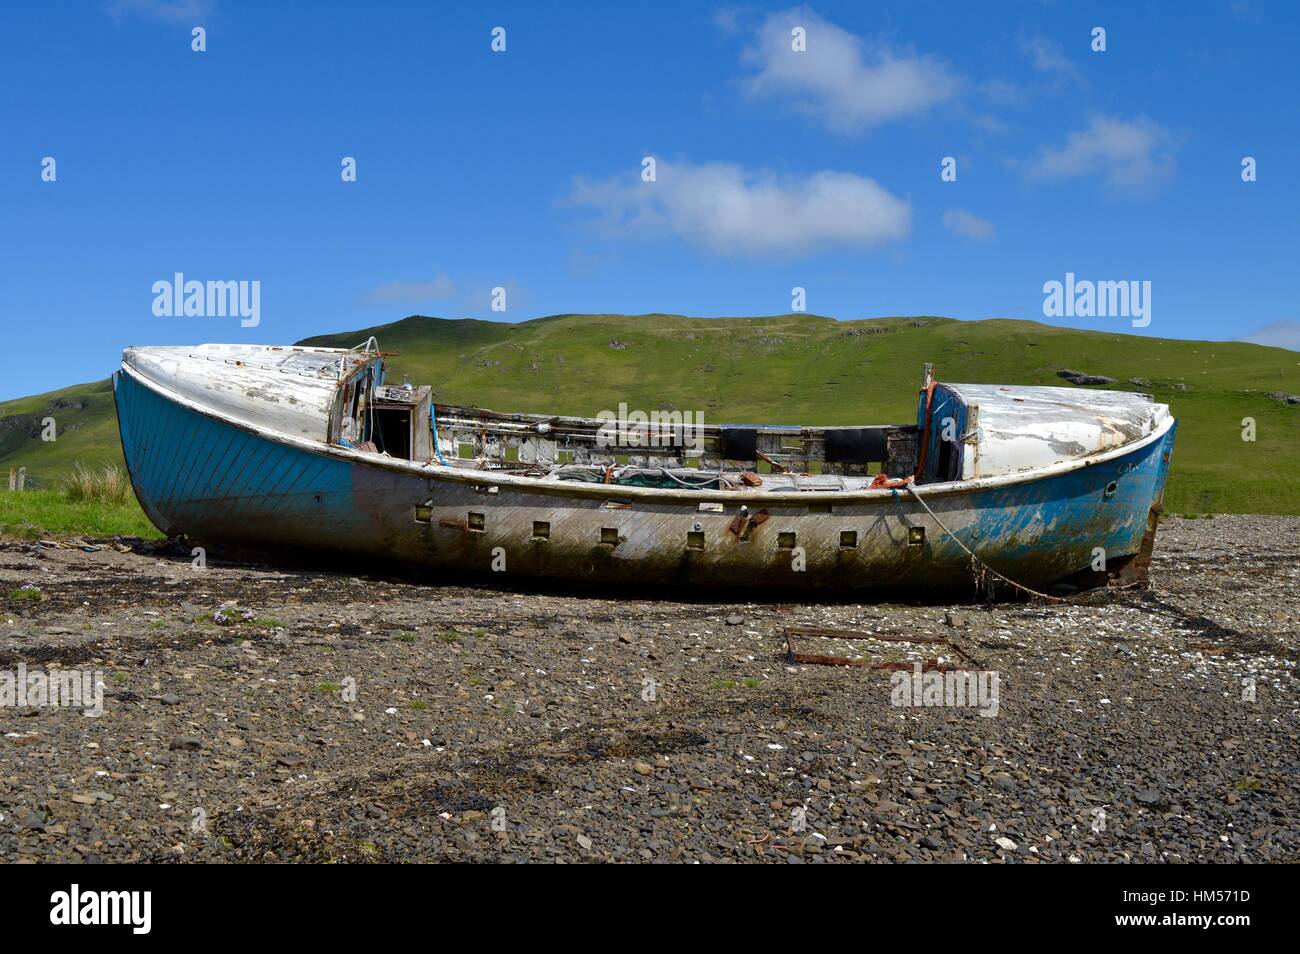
(216, 482)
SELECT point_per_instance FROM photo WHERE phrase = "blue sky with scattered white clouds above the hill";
(523, 170)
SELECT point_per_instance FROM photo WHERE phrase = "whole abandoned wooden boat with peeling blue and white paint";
(311, 450)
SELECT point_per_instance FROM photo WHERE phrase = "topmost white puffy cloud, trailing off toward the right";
(847, 83)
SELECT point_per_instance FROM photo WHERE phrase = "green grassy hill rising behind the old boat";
(798, 370)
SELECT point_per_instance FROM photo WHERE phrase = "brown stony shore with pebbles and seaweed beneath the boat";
(335, 718)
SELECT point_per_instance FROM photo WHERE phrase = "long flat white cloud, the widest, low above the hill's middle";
(735, 211)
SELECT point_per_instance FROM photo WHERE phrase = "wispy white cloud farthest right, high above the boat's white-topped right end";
(1125, 153)
